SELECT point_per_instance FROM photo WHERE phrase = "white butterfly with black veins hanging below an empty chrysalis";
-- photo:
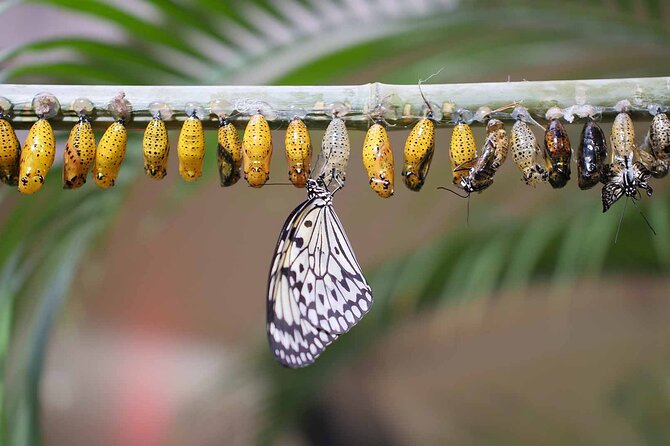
(316, 290)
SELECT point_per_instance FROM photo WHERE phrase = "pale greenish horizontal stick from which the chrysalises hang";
(403, 103)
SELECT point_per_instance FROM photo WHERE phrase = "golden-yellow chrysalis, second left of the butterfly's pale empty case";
(257, 151)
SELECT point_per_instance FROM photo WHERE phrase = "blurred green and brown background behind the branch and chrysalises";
(136, 315)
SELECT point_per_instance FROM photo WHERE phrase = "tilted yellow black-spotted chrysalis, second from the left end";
(37, 156)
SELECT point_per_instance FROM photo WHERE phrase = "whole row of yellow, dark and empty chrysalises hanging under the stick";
(627, 168)
